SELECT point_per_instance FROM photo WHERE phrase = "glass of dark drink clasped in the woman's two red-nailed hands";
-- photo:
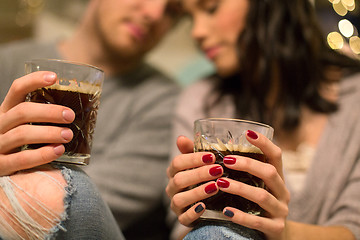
(222, 137)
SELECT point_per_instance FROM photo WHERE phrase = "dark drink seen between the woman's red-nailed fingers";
(221, 200)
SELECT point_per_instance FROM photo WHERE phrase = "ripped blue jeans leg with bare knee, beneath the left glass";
(29, 207)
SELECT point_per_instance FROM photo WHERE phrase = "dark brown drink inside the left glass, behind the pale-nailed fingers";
(85, 106)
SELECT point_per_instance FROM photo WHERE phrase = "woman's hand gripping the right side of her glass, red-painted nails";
(274, 199)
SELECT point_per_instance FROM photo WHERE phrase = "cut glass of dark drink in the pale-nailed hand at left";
(79, 88)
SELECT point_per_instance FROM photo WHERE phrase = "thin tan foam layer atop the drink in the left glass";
(75, 86)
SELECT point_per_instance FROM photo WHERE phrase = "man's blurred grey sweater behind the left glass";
(131, 143)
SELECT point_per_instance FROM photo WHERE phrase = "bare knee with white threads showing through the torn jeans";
(34, 201)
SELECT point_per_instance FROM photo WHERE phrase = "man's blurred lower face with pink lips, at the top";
(130, 28)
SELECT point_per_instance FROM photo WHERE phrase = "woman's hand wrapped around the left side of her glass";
(185, 171)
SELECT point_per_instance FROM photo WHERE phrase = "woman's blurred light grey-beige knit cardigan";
(331, 195)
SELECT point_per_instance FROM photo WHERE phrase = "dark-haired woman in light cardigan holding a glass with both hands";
(274, 66)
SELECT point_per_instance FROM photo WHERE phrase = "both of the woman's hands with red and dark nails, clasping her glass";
(190, 168)
